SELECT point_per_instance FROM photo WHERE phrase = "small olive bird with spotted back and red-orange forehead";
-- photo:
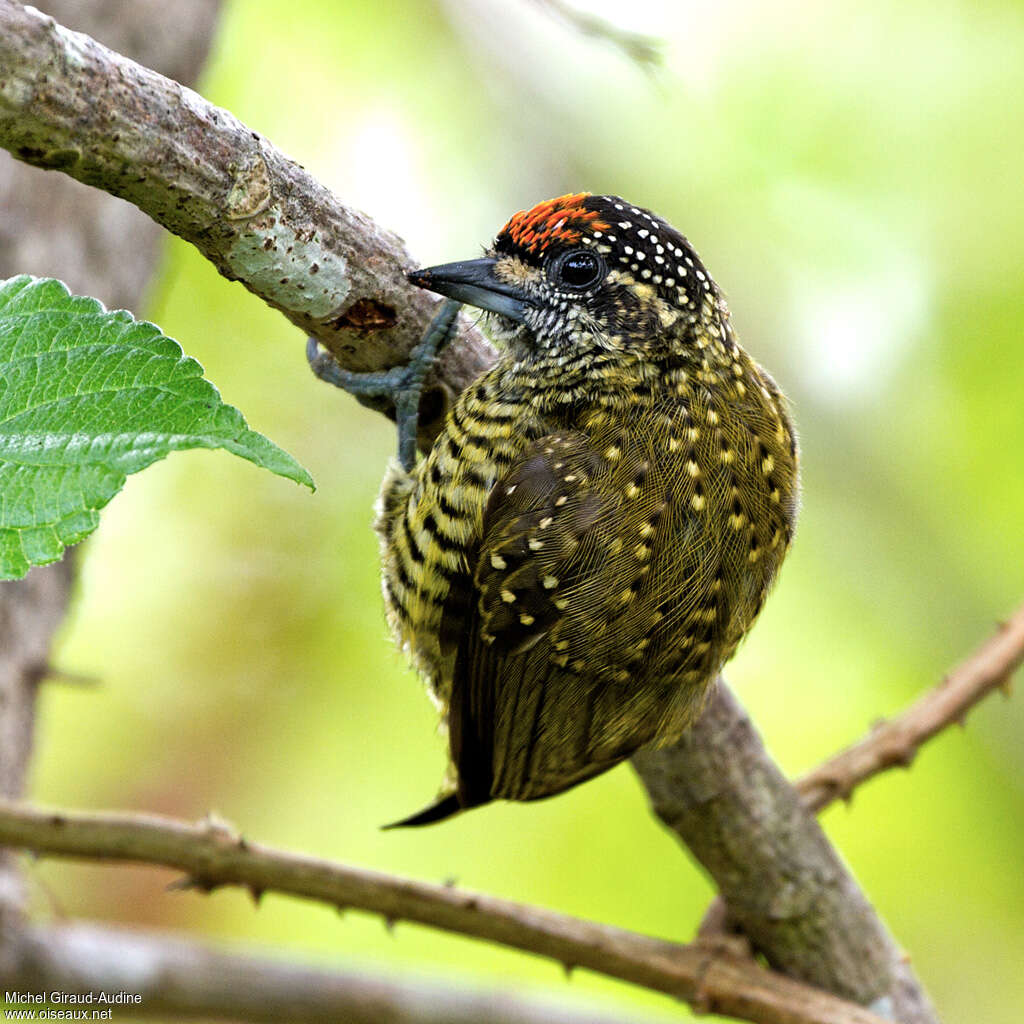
(604, 514)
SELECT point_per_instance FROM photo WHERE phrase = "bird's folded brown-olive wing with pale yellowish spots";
(548, 645)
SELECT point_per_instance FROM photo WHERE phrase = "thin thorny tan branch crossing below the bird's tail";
(212, 856)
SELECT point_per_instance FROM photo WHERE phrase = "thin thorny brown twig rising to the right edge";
(895, 744)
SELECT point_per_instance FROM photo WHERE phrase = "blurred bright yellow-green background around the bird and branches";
(852, 175)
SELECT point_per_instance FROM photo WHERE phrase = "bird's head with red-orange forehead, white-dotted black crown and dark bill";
(589, 272)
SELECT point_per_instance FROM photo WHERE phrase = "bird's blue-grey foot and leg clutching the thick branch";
(403, 385)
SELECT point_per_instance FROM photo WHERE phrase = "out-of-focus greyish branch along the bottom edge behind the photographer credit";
(177, 976)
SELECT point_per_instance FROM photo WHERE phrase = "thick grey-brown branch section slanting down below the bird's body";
(783, 882)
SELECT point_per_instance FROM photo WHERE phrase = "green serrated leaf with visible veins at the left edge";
(87, 398)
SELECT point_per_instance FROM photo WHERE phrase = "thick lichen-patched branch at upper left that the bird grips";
(69, 104)
